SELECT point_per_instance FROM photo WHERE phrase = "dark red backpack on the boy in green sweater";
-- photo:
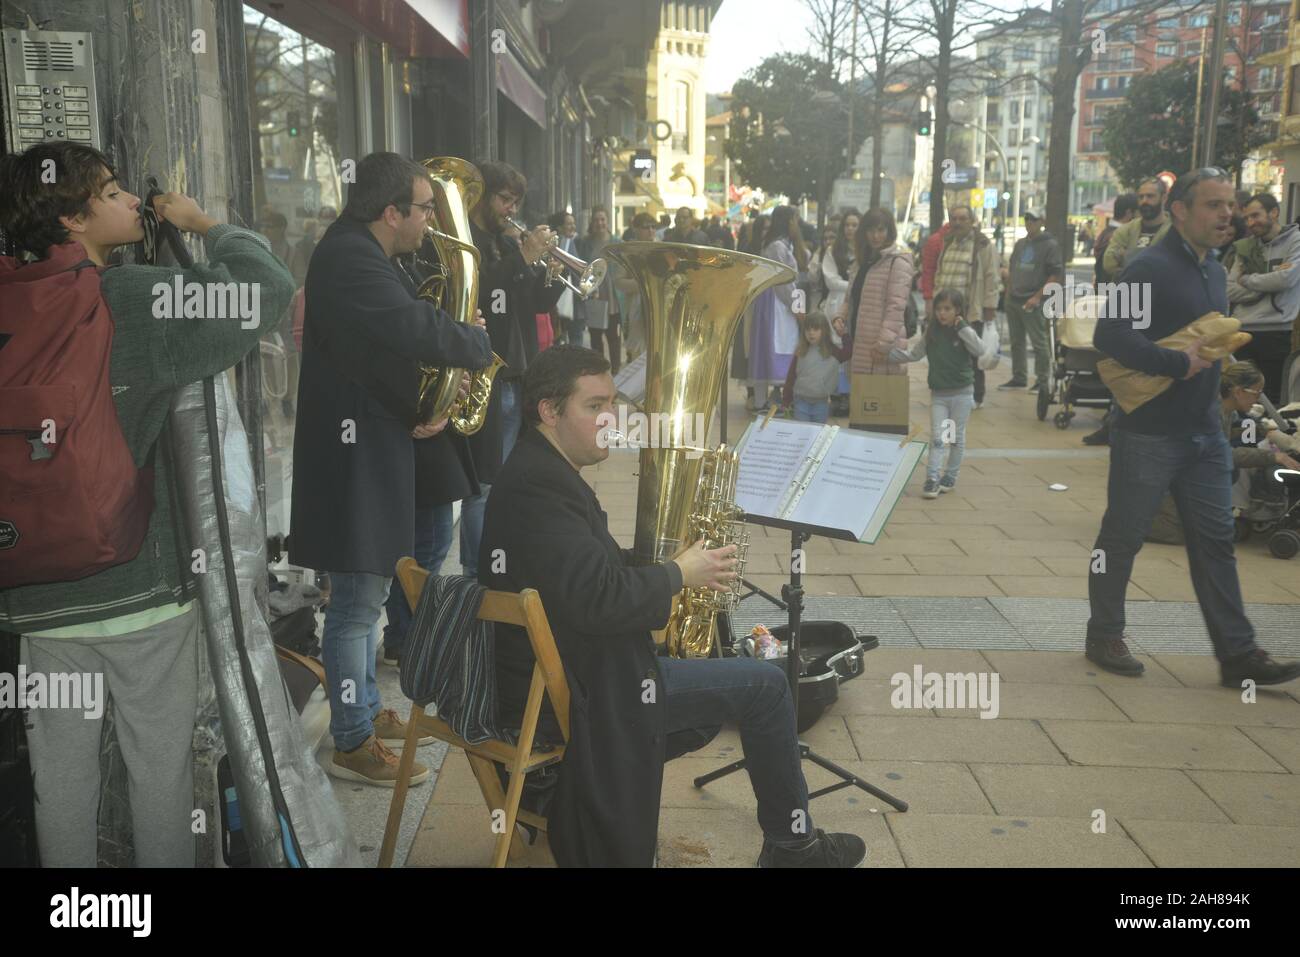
(72, 501)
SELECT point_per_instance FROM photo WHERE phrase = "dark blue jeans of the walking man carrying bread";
(1198, 471)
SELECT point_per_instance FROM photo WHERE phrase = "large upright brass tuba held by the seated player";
(692, 298)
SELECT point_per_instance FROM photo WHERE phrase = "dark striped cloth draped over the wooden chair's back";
(450, 660)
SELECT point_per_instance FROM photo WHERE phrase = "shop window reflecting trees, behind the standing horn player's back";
(294, 120)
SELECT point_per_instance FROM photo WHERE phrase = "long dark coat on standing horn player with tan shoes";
(354, 501)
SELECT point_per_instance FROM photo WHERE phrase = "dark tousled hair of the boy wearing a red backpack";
(31, 207)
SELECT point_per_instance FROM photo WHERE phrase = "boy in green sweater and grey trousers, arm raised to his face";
(133, 623)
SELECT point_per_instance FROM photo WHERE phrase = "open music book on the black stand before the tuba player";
(831, 482)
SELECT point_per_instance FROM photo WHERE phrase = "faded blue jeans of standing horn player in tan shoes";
(349, 644)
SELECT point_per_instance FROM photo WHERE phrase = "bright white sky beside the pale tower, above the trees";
(747, 32)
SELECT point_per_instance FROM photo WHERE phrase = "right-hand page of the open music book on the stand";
(851, 484)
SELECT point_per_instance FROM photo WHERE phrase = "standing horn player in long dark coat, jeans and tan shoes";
(354, 457)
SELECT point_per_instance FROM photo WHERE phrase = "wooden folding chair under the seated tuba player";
(525, 610)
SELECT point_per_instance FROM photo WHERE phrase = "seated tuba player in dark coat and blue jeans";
(630, 709)
